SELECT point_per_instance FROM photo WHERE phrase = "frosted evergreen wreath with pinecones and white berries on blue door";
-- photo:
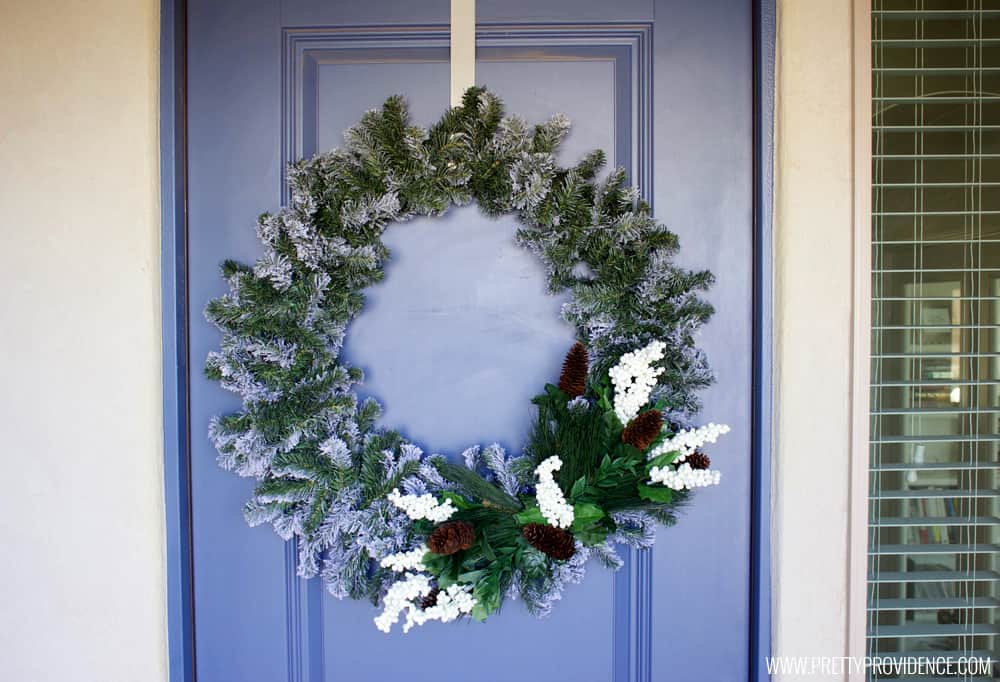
(607, 457)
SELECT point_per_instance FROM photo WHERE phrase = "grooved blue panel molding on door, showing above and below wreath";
(627, 48)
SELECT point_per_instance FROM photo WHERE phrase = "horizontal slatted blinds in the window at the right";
(934, 526)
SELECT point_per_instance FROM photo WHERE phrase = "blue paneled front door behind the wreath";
(664, 87)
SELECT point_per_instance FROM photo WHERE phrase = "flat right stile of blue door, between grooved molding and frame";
(703, 181)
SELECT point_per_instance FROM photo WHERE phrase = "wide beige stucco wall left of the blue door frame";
(81, 510)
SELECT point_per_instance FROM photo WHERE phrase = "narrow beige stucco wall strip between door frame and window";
(813, 323)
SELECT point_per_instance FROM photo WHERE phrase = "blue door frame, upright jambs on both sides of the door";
(177, 362)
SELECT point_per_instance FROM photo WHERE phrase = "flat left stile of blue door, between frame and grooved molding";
(234, 145)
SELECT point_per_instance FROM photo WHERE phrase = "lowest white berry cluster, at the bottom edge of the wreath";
(405, 594)
